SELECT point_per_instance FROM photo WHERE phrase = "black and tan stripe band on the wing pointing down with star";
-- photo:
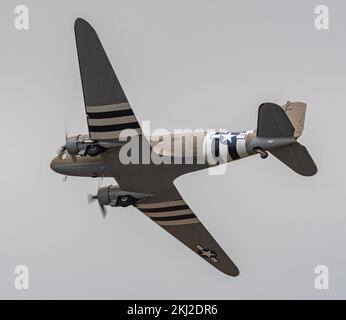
(169, 213)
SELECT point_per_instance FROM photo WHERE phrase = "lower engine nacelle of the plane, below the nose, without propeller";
(114, 196)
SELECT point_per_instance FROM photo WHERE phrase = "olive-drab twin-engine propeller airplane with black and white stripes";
(150, 187)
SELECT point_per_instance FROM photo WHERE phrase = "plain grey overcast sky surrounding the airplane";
(182, 64)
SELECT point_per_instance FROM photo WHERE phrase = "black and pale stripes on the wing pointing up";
(106, 122)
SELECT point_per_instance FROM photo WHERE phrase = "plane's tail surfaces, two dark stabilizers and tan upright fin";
(286, 122)
